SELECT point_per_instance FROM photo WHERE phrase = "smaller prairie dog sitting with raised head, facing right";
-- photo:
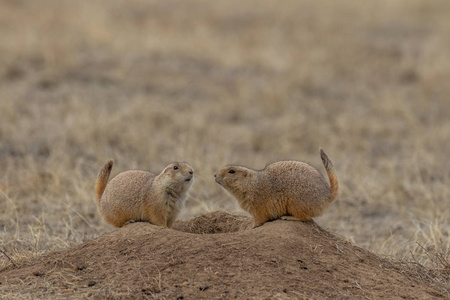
(142, 196)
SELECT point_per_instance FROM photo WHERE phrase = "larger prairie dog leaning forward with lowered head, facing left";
(283, 189)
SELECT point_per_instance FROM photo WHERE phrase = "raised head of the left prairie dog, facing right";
(177, 176)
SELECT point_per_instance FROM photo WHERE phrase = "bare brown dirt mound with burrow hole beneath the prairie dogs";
(214, 256)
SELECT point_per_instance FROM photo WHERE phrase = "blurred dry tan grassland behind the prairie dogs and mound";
(219, 82)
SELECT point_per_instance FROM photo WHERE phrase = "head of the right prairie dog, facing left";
(237, 180)
